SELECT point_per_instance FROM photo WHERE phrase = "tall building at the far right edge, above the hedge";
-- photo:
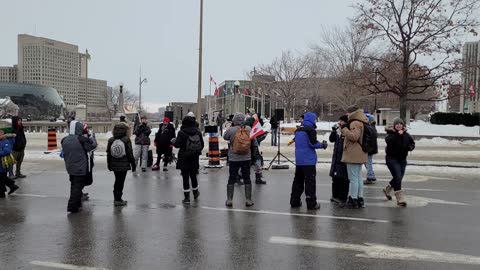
(471, 78)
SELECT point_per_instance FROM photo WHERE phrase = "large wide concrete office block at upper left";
(51, 63)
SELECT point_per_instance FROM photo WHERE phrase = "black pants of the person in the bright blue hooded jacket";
(304, 179)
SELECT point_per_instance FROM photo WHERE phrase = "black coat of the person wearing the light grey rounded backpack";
(128, 161)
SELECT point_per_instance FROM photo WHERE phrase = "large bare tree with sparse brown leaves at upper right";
(415, 31)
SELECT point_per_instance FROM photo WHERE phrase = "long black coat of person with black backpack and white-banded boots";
(187, 163)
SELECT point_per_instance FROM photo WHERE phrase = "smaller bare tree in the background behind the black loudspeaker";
(290, 72)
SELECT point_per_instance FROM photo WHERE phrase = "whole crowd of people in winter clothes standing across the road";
(354, 138)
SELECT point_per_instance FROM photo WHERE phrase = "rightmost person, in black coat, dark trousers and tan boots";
(399, 143)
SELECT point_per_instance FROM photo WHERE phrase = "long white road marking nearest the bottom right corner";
(379, 251)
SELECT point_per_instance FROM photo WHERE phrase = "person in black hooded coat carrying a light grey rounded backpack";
(120, 160)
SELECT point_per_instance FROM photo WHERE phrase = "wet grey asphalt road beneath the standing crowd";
(156, 232)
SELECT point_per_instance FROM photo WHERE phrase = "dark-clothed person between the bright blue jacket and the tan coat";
(338, 169)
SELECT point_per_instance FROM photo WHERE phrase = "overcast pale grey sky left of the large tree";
(162, 37)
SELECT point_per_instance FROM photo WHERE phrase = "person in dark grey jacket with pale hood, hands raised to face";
(75, 148)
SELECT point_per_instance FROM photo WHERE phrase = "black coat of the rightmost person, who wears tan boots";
(398, 145)
